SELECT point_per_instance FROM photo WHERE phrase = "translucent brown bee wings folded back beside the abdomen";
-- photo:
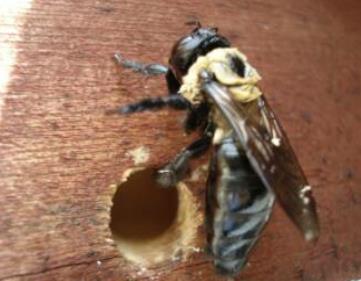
(270, 154)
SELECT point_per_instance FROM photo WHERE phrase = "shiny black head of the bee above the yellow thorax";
(198, 43)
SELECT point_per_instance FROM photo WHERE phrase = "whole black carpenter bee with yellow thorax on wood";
(252, 160)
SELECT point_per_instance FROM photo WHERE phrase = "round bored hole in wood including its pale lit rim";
(151, 224)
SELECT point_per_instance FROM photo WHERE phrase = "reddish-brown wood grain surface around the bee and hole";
(59, 153)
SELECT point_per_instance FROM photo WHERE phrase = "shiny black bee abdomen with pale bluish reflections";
(238, 206)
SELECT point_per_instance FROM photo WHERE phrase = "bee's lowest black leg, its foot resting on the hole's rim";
(175, 170)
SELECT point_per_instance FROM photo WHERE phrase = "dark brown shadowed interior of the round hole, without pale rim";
(141, 209)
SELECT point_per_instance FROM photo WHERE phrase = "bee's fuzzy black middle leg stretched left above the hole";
(174, 101)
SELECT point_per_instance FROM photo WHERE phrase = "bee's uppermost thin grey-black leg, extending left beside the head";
(146, 69)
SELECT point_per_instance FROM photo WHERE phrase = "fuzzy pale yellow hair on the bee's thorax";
(217, 62)
